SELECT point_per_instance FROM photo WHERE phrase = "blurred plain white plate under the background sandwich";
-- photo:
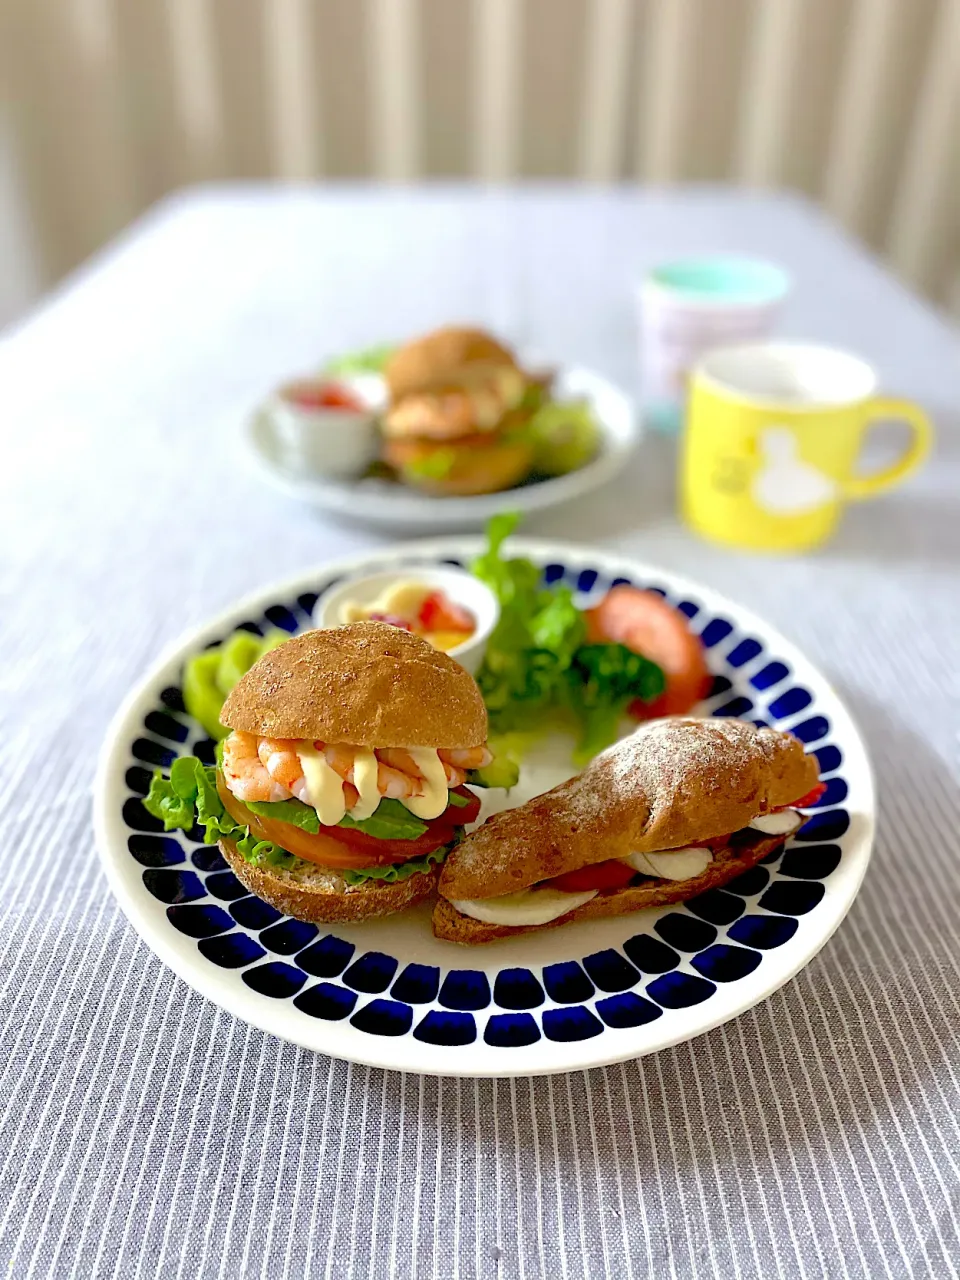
(392, 506)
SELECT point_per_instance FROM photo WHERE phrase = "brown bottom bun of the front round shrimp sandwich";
(323, 897)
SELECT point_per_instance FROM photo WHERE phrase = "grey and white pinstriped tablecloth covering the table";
(148, 1135)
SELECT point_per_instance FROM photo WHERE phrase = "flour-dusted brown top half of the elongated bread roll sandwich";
(671, 784)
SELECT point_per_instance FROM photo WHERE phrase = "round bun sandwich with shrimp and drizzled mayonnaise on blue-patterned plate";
(344, 774)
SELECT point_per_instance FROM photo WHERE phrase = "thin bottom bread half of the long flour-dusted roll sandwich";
(728, 865)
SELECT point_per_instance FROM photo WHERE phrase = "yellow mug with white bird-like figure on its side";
(772, 436)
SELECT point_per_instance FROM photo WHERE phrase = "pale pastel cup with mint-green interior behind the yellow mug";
(693, 305)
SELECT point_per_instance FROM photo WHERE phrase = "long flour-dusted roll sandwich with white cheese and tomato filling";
(678, 808)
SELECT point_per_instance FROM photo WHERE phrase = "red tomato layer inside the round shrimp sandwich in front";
(345, 847)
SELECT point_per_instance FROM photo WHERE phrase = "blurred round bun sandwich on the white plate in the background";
(456, 417)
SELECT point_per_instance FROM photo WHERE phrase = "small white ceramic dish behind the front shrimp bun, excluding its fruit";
(458, 584)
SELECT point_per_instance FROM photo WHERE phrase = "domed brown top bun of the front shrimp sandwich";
(368, 684)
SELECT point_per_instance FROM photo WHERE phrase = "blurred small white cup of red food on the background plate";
(324, 442)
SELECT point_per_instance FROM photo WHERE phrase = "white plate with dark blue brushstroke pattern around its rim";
(387, 993)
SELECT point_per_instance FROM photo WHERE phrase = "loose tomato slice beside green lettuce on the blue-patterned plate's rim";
(644, 623)
